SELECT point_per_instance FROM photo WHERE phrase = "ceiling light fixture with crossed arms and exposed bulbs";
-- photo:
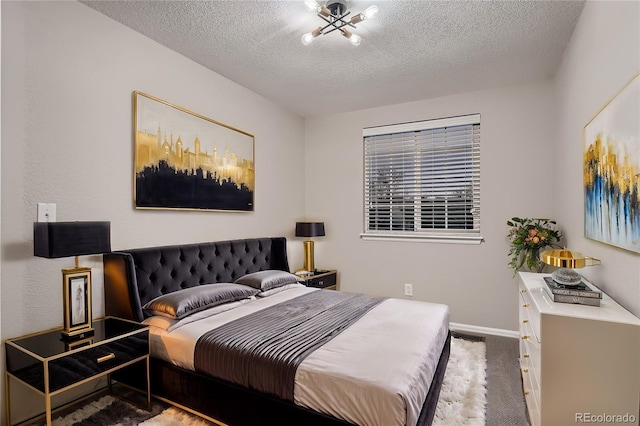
(334, 13)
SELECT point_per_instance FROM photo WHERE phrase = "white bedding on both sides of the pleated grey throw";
(375, 373)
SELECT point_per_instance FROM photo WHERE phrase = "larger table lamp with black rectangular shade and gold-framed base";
(65, 239)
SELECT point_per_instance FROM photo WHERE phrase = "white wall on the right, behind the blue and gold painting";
(603, 55)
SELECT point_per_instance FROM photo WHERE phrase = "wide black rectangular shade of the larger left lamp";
(66, 239)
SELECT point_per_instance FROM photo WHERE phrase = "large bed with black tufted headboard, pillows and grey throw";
(384, 366)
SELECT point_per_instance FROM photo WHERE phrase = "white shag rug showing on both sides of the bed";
(462, 396)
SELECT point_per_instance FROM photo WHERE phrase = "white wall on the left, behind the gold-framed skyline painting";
(68, 74)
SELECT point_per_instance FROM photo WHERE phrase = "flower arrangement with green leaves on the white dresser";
(527, 237)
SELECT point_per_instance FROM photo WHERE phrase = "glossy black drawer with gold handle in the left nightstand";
(96, 359)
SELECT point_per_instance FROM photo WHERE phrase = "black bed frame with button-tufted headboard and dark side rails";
(134, 277)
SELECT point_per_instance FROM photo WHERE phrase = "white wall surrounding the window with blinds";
(516, 176)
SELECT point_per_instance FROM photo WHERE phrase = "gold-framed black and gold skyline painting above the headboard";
(186, 161)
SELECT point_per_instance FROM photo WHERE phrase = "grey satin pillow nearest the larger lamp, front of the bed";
(182, 303)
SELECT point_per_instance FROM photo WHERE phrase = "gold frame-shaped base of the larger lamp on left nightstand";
(77, 303)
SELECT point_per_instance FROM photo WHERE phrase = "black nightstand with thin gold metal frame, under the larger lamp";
(48, 365)
